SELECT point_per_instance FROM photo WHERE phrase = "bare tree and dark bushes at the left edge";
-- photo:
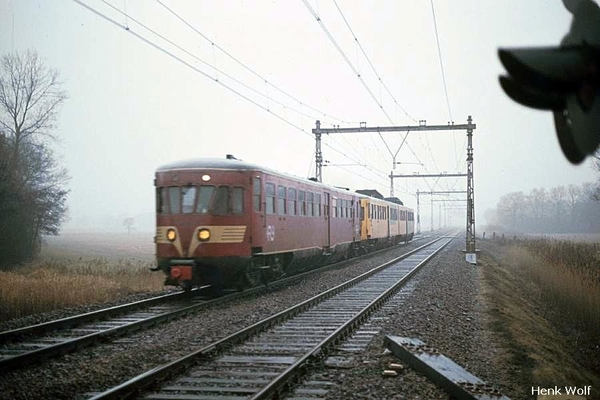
(32, 184)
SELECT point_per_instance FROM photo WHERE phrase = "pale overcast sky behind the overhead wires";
(133, 107)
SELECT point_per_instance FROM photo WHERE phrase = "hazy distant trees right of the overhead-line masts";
(562, 209)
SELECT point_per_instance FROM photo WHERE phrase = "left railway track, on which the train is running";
(36, 343)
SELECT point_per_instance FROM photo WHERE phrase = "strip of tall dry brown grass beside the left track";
(47, 285)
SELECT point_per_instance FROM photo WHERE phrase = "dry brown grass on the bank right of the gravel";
(531, 300)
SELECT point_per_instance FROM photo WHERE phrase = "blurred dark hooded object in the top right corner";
(564, 80)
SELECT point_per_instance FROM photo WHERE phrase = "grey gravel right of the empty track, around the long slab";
(444, 310)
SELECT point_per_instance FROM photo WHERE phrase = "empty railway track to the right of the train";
(266, 359)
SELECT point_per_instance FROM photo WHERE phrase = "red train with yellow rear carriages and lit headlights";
(232, 224)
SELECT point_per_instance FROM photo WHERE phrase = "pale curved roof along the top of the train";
(232, 163)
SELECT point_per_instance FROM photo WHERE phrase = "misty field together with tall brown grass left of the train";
(77, 269)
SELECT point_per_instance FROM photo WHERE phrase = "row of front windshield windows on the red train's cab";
(200, 199)
